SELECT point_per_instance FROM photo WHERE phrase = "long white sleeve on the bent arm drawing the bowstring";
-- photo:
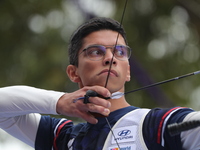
(20, 107)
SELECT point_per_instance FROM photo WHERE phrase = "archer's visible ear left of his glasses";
(72, 73)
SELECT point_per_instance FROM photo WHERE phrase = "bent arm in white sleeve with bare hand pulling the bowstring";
(20, 108)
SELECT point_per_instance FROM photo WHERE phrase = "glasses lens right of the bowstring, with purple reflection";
(122, 52)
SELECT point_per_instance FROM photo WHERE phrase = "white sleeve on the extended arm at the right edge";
(190, 139)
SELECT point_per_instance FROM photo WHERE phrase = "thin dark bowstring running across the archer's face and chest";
(110, 66)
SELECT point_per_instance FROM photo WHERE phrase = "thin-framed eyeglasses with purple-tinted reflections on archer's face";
(97, 52)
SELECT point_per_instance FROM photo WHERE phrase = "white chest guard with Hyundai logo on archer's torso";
(126, 134)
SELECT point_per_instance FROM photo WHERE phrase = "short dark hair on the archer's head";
(85, 29)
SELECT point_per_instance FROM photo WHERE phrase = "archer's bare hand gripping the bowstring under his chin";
(67, 107)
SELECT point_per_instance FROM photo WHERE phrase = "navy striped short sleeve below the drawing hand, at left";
(48, 131)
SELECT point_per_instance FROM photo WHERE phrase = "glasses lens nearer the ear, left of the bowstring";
(95, 52)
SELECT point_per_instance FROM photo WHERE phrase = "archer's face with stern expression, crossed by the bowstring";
(90, 72)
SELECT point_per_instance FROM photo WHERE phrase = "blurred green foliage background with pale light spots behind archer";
(163, 35)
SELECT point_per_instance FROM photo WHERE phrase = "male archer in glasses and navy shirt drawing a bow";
(91, 51)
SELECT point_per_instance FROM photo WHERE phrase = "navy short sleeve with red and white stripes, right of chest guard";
(155, 132)
